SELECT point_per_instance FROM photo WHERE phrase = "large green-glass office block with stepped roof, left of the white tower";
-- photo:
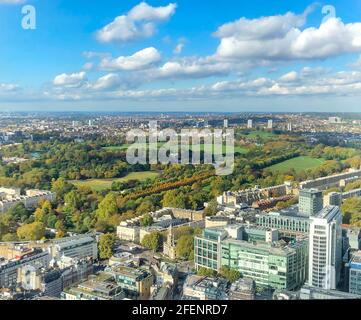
(256, 253)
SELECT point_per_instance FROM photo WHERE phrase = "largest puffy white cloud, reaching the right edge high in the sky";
(280, 39)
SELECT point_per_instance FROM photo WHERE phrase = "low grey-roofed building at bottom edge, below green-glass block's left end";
(205, 288)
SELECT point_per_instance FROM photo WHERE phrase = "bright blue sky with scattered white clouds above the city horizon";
(204, 55)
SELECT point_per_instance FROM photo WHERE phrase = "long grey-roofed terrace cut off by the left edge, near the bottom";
(9, 269)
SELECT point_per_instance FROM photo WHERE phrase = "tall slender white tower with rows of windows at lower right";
(325, 248)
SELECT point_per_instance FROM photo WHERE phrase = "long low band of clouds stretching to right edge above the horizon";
(330, 85)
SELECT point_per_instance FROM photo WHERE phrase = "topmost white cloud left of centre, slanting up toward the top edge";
(139, 23)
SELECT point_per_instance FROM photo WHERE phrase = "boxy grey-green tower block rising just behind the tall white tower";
(310, 202)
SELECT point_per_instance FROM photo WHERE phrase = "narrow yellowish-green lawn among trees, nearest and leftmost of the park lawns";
(103, 184)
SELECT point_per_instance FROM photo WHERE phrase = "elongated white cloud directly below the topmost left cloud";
(139, 60)
